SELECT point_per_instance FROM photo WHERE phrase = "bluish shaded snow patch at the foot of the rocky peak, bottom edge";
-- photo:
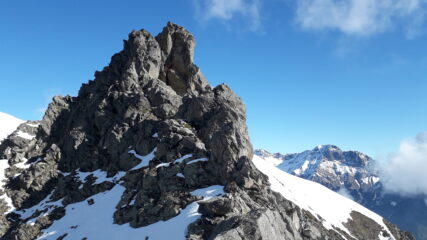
(96, 221)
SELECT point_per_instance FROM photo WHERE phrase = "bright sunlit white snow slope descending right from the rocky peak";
(334, 209)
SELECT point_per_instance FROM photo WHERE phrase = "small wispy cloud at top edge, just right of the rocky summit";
(227, 10)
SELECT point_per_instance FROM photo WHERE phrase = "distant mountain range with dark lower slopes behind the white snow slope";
(354, 175)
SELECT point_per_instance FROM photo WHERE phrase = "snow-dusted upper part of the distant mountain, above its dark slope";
(328, 165)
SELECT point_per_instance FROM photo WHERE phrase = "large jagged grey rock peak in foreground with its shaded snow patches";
(149, 150)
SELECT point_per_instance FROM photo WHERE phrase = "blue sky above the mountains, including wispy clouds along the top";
(350, 72)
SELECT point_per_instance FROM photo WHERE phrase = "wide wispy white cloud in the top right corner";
(361, 17)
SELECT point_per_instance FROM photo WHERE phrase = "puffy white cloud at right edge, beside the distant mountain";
(405, 172)
